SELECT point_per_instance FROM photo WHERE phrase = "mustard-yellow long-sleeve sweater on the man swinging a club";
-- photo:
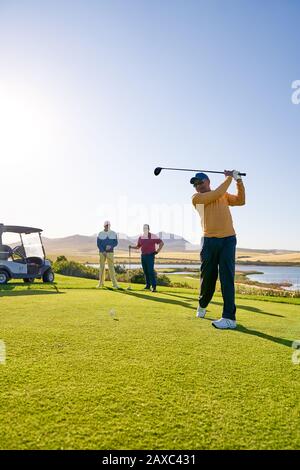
(213, 208)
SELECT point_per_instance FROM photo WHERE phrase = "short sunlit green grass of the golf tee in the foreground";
(103, 369)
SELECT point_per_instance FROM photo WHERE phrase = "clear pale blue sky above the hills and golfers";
(95, 94)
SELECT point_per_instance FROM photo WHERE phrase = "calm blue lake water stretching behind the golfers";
(270, 274)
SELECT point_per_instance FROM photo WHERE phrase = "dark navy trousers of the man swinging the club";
(218, 257)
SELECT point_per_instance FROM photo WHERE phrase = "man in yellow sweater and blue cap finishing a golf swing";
(218, 243)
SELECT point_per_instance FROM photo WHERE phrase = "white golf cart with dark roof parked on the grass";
(25, 259)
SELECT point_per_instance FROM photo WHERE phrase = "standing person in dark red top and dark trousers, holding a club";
(147, 242)
